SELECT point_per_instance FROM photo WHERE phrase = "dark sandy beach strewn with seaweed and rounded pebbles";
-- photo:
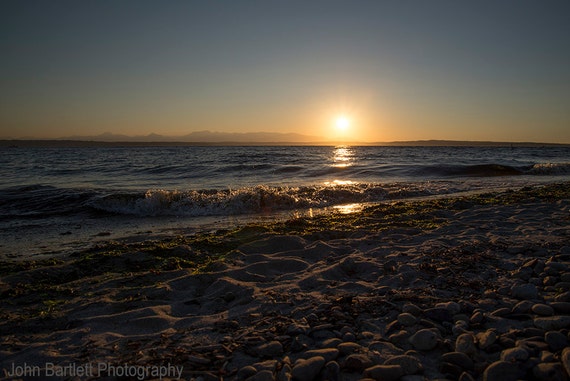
(469, 288)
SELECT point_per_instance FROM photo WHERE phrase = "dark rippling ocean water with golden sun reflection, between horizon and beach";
(57, 200)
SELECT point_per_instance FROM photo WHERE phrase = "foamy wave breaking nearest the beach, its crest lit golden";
(248, 200)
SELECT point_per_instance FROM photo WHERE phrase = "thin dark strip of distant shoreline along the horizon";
(15, 143)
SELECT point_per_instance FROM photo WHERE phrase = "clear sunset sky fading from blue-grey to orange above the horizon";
(396, 70)
